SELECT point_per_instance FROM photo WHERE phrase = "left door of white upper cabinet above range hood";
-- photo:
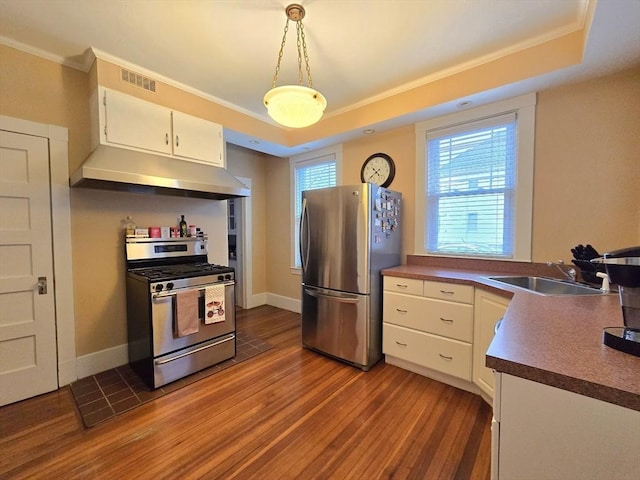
(134, 123)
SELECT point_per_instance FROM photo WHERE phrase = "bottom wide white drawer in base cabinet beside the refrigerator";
(445, 355)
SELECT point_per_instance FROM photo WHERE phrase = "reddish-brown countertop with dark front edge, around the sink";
(556, 341)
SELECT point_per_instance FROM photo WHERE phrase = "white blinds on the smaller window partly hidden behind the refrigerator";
(311, 175)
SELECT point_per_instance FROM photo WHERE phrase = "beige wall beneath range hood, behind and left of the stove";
(98, 254)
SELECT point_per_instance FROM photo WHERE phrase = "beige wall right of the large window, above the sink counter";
(587, 170)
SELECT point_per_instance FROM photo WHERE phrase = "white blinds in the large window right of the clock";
(471, 181)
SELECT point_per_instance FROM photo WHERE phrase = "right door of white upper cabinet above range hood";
(197, 139)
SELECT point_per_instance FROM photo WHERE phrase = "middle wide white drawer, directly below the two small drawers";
(449, 319)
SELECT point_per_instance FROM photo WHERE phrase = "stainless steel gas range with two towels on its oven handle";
(180, 308)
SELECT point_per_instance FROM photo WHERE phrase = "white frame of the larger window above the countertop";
(524, 107)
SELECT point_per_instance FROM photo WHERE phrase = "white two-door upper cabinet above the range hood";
(128, 122)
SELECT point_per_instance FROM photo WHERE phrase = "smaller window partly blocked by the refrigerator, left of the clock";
(309, 172)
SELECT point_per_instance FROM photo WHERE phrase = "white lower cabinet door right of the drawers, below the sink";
(489, 308)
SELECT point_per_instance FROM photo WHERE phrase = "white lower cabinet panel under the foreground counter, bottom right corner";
(544, 432)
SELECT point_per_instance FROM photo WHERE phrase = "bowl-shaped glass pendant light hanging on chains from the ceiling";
(295, 106)
